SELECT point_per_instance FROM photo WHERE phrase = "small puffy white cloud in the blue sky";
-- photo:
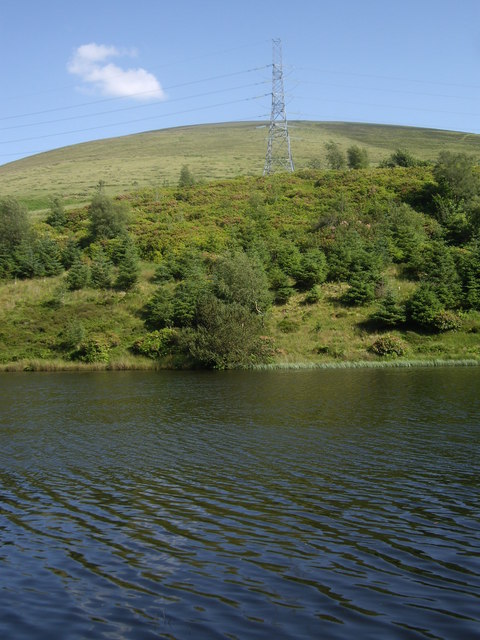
(91, 63)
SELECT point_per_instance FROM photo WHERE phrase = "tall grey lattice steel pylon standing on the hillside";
(279, 154)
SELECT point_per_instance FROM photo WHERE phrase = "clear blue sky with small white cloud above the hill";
(73, 72)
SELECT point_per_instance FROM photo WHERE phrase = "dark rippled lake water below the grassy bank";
(326, 504)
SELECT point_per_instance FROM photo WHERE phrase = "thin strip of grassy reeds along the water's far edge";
(33, 366)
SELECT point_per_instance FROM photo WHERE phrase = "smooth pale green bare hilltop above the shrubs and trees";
(212, 152)
